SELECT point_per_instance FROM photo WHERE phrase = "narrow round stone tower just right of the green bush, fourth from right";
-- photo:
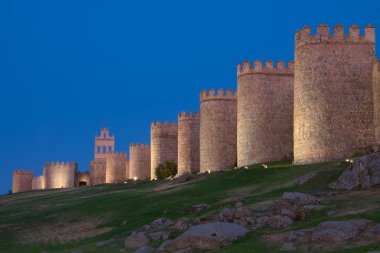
(188, 143)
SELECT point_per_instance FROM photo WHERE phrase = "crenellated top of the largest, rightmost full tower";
(323, 35)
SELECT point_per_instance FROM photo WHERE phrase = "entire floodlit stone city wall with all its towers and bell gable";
(325, 106)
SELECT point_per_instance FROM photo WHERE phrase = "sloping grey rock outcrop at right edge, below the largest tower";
(363, 174)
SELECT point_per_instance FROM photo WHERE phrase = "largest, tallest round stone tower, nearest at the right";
(333, 94)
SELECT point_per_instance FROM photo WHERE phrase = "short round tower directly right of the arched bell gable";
(117, 169)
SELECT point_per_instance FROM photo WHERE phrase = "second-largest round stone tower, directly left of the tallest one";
(264, 112)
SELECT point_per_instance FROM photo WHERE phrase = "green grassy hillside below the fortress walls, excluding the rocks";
(78, 218)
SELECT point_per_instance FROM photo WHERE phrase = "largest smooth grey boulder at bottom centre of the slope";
(206, 237)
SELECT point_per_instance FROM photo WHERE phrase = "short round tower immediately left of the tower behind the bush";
(139, 161)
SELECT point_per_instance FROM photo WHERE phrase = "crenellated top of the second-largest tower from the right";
(259, 68)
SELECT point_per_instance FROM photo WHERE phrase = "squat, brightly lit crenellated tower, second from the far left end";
(60, 175)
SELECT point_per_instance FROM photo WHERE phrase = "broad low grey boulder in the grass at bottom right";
(337, 231)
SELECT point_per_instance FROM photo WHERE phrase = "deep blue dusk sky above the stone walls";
(67, 68)
